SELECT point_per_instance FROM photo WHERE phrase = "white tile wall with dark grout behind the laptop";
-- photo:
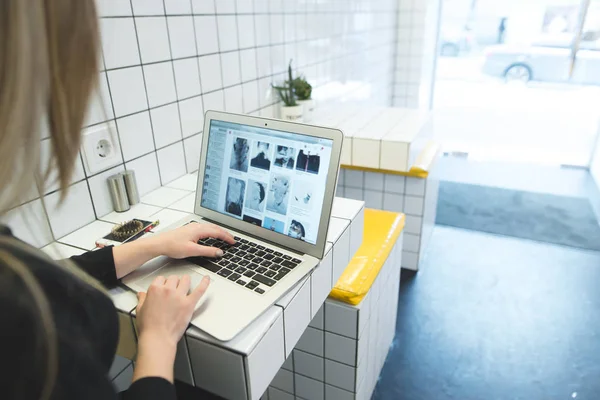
(165, 62)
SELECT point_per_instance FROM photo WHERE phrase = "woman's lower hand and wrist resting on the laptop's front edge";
(163, 314)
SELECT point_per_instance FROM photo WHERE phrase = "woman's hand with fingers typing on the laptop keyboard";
(183, 242)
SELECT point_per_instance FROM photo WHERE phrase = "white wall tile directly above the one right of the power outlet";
(127, 90)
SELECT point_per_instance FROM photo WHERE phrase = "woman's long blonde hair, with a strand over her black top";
(49, 57)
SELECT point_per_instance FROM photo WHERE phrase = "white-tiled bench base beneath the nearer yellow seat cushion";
(341, 353)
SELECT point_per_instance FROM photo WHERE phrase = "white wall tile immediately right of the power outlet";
(135, 134)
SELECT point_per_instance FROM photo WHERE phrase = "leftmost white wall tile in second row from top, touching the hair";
(119, 42)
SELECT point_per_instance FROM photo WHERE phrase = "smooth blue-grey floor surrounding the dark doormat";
(490, 317)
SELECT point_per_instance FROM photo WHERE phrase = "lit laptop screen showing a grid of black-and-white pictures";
(266, 177)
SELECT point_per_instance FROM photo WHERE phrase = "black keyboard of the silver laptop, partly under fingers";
(247, 264)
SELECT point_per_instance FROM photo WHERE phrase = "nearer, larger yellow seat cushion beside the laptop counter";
(381, 231)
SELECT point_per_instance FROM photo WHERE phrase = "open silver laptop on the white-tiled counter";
(271, 184)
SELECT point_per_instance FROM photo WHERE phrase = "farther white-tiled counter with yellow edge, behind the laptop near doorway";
(389, 162)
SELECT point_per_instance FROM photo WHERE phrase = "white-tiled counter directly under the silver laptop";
(251, 360)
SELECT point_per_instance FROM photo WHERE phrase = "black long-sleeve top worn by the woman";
(86, 325)
